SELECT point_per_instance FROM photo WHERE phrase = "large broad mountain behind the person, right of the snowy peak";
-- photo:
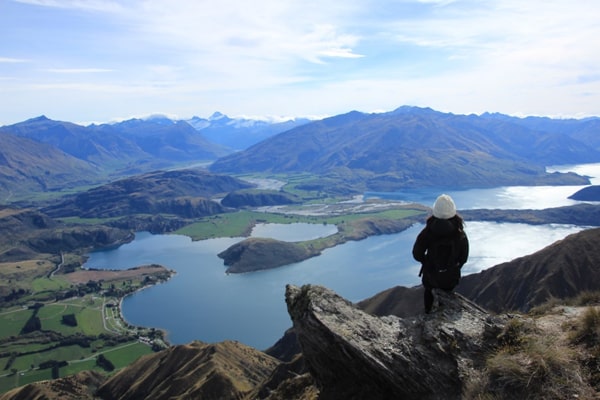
(415, 147)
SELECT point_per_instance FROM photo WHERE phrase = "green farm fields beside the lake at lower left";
(99, 329)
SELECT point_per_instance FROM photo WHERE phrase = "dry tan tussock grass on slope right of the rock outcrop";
(552, 353)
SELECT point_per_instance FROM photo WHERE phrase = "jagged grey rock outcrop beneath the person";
(354, 355)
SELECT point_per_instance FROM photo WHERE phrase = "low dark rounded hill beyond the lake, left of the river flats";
(182, 192)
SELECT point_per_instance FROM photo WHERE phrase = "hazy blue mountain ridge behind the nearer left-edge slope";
(154, 142)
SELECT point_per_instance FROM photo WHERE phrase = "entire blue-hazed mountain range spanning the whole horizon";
(353, 152)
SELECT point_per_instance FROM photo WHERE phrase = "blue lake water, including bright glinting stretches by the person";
(202, 302)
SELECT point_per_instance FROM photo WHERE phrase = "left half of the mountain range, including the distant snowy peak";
(40, 154)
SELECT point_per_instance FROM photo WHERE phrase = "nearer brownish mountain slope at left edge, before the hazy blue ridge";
(28, 166)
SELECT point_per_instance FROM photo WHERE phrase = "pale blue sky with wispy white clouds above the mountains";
(99, 61)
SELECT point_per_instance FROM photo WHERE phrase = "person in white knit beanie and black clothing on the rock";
(442, 248)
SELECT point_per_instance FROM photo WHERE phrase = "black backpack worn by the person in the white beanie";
(441, 266)
